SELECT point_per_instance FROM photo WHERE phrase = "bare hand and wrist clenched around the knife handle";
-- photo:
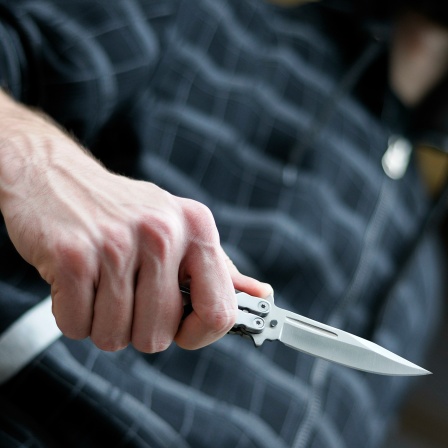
(113, 249)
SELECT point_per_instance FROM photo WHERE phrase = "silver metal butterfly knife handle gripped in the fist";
(251, 312)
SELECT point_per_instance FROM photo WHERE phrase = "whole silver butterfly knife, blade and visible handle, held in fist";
(261, 320)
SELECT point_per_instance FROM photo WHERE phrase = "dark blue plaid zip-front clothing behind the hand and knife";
(252, 111)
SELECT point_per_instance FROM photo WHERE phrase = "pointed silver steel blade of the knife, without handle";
(335, 345)
